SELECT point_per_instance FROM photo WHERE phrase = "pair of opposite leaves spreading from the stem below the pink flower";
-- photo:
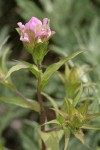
(47, 74)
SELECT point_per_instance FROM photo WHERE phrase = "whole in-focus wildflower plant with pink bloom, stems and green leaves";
(72, 116)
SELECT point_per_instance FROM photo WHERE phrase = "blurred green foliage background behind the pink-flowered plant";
(77, 26)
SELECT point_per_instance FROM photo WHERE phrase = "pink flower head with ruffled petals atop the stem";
(35, 31)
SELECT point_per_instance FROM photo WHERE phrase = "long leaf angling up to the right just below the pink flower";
(54, 67)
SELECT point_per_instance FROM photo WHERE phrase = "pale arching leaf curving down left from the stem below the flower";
(23, 65)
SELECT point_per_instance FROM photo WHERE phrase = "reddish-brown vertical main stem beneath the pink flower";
(42, 109)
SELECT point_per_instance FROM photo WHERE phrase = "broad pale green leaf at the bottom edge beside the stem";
(51, 140)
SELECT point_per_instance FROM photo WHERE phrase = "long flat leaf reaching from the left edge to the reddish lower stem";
(21, 103)
